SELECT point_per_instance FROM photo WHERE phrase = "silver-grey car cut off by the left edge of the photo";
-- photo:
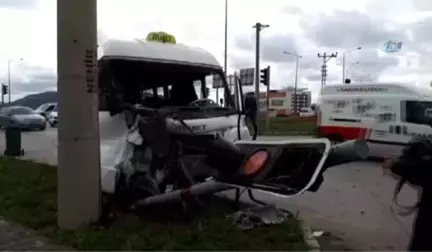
(21, 117)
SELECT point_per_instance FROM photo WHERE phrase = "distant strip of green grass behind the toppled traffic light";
(286, 126)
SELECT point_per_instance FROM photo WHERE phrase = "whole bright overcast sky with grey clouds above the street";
(308, 27)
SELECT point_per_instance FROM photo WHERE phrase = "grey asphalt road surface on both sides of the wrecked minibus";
(353, 205)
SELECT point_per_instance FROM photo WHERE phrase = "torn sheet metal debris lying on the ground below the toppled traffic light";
(259, 216)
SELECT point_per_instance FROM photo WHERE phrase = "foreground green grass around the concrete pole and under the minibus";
(28, 196)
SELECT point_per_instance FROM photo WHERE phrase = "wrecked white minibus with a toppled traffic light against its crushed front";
(160, 142)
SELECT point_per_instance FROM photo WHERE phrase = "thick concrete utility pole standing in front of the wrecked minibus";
(79, 193)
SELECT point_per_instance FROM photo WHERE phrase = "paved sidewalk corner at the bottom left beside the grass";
(14, 238)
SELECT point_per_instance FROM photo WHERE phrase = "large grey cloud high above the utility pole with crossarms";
(346, 29)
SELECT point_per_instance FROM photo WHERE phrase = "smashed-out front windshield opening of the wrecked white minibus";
(162, 85)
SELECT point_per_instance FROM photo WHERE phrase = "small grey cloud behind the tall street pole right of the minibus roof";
(272, 46)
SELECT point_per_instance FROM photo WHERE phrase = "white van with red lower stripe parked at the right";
(394, 113)
